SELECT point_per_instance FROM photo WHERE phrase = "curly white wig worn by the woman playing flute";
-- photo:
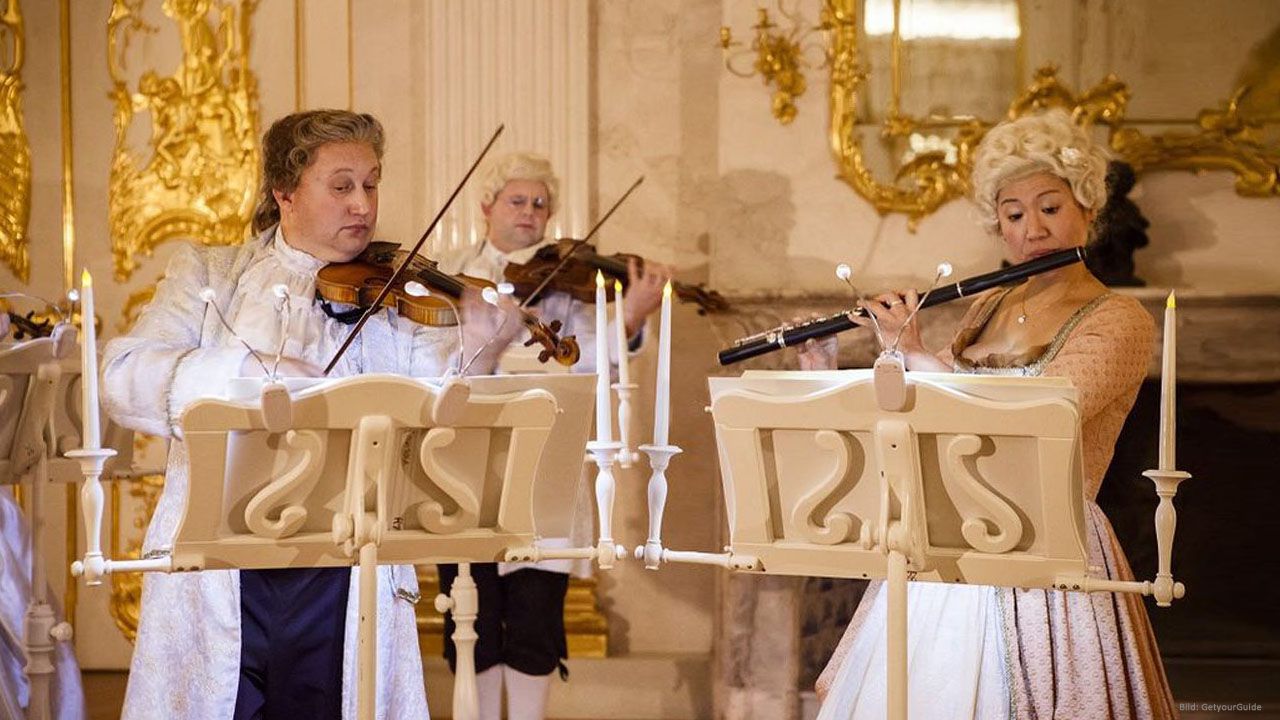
(1049, 143)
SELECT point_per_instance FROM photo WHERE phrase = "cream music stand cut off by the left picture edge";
(39, 421)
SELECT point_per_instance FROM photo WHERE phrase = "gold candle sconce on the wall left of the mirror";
(779, 57)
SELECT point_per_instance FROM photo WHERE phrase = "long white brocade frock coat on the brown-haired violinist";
(186, 664)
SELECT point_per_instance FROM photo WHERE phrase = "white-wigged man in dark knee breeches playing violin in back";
(522, 619)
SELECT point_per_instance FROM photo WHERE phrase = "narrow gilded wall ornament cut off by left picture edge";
(15, 147)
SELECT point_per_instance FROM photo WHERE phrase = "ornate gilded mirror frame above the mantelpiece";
(1224, 140)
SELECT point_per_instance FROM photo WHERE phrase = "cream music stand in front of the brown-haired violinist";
(374, 470)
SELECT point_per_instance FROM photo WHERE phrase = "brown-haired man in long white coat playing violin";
(271, 644)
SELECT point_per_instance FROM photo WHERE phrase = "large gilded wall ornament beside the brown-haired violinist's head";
(202, 176)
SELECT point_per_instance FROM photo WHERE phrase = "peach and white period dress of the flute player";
(1000, 653)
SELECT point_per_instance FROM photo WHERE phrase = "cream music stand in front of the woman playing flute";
(940, 477)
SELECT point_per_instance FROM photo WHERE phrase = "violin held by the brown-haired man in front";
(363, 280)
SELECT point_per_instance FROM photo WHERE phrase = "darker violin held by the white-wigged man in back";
(578, 276)
